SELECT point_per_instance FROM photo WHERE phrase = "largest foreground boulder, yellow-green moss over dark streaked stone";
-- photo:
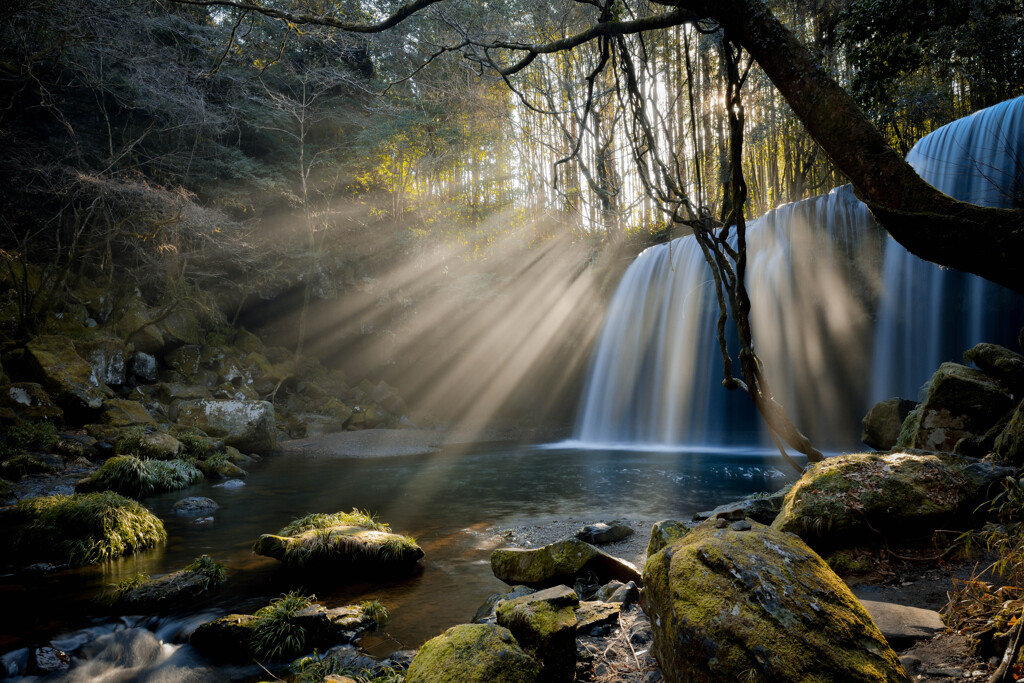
(738, 606)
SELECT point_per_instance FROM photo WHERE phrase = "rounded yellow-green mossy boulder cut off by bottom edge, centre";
(473, 654)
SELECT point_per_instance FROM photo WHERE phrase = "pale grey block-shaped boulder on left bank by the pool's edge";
(248, 425)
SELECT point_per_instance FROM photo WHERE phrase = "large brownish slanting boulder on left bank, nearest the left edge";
(66, 376)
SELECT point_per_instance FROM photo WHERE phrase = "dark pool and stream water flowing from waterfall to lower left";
(451, 501)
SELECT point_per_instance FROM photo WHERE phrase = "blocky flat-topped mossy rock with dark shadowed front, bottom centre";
(545, 625)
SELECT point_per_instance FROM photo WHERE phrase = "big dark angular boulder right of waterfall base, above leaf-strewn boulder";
(962, 403)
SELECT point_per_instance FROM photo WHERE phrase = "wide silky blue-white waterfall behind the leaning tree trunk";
(827, 286)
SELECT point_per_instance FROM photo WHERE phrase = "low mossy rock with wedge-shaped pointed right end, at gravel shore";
(560, 563)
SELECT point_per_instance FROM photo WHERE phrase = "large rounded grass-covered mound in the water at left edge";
(84, 529)
